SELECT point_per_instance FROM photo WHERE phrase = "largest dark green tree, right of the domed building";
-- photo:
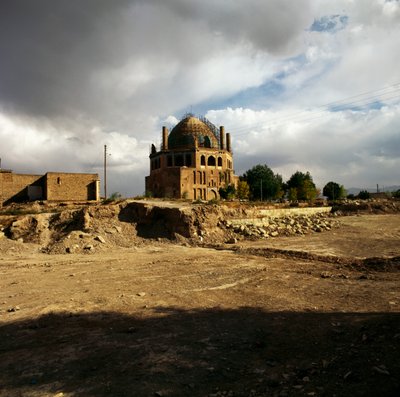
(263, 183)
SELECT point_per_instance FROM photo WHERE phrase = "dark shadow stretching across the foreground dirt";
(170, 352)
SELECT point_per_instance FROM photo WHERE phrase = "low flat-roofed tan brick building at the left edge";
(52, 186)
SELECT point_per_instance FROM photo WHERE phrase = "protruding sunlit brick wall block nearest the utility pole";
(66, 186)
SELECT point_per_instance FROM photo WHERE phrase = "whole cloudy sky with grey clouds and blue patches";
(308, 85)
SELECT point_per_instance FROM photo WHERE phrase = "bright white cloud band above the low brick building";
(38, 147)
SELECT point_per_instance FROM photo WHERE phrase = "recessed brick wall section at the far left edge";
(14, 187)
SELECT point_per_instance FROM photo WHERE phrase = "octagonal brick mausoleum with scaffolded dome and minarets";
(194, 161)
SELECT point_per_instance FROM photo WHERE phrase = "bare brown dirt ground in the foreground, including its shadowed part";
(287, 316)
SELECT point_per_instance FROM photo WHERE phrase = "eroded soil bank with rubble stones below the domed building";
(60, 228)
